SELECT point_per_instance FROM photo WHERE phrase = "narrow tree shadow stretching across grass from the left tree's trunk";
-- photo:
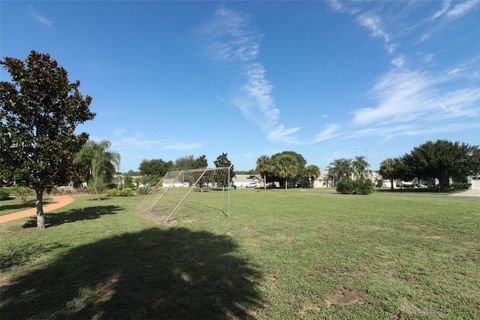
(72, 215)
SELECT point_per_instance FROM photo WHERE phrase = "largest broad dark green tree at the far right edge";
(443, 160)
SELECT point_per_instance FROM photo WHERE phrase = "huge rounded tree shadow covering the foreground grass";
(153, 274)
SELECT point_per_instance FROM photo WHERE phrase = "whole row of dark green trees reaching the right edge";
(440, 159)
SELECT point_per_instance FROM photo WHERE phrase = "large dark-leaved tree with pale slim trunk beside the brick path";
(39, 112)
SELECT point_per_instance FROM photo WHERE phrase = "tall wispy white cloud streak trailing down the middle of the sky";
(233, 39)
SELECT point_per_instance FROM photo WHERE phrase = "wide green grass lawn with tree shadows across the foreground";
(280, 255)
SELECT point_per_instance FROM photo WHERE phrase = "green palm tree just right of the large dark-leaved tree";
(97, 164)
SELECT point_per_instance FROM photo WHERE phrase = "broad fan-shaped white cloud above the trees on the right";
(402, 96)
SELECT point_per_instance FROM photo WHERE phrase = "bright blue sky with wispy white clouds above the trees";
(327, 79)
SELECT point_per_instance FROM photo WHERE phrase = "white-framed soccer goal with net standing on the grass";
(189, 192)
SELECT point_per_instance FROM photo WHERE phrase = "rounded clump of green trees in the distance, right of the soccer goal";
(286, 166)
